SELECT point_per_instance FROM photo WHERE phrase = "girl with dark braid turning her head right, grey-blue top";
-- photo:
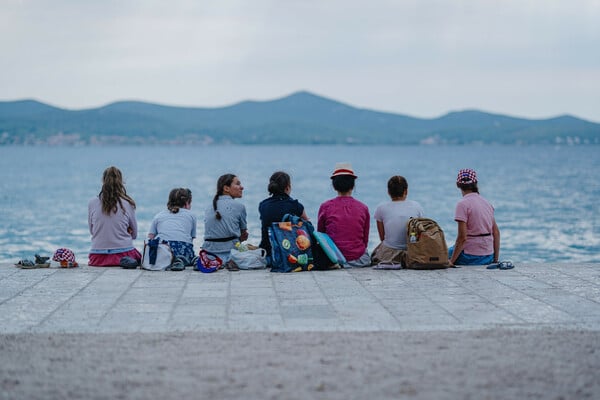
(225, 219)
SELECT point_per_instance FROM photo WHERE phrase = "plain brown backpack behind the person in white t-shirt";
(426, 245)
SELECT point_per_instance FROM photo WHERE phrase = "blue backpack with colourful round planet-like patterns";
(291, 245)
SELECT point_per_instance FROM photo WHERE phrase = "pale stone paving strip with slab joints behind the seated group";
(113, 300)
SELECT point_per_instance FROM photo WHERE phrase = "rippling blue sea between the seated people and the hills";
(546, 197)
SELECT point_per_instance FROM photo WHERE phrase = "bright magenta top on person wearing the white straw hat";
(346, 220)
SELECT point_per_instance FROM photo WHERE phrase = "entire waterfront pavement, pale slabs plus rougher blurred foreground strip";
(529, 332)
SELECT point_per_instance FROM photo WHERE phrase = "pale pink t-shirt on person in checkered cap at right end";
(478, 214)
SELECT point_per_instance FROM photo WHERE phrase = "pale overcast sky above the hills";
(423, 58)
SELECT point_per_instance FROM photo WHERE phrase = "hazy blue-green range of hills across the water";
(301, 118)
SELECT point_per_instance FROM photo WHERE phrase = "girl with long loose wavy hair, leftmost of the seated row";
(112, 222)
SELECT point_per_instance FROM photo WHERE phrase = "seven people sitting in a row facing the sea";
(113, 225)
